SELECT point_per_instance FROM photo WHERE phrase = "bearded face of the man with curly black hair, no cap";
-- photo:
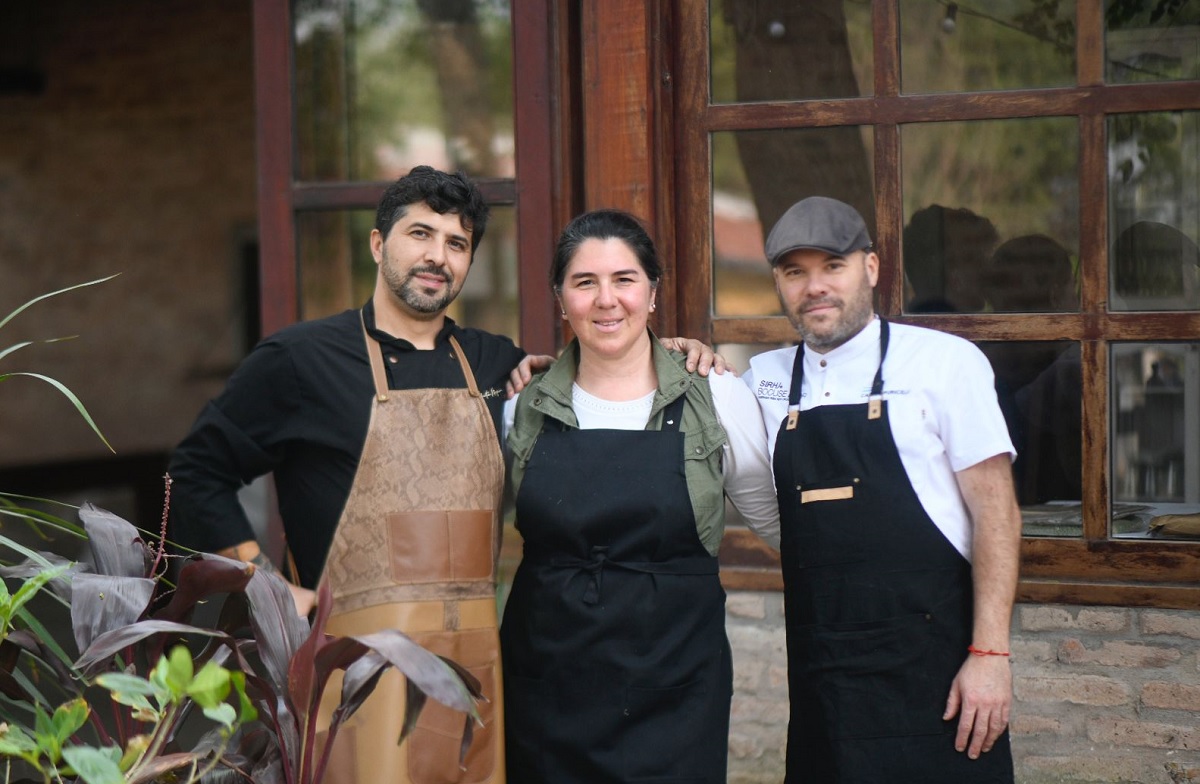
(423, 262)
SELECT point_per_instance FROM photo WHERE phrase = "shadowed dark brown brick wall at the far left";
(139, 159)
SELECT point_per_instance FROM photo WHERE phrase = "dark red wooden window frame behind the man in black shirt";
(541, 91)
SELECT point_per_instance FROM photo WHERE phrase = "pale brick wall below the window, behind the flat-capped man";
(1102, 695)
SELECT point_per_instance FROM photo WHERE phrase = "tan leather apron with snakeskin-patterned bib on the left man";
(416, 550)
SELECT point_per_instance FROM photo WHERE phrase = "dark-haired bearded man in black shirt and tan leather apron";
(382, 428)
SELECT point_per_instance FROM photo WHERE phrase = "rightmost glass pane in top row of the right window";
(1153, 41)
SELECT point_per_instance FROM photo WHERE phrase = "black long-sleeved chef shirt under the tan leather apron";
(299, 405)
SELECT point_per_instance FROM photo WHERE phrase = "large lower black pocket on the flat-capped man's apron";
(873, 680)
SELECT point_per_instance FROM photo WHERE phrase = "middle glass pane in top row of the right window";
(986, 45)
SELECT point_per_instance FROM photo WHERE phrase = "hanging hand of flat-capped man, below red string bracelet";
(981, 696)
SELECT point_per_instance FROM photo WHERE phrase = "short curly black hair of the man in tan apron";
(441, 193)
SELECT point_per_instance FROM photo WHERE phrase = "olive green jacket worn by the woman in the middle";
(550, 396)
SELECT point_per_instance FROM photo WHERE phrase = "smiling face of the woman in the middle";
(607, 297)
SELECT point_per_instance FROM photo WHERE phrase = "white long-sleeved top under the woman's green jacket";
(746, 463)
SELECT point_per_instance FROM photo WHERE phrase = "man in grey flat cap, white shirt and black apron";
(901, 528)
